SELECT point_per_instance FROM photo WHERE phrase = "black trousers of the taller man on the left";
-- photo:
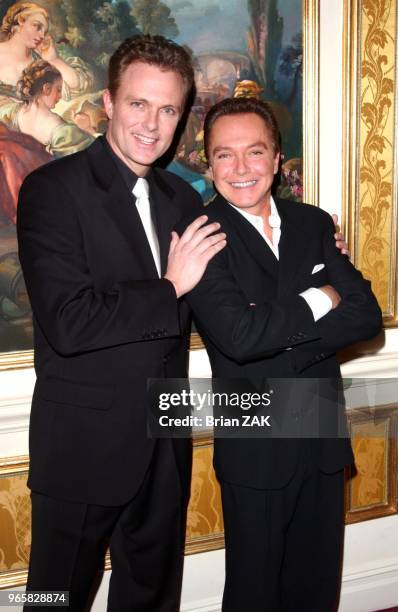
(146, 539)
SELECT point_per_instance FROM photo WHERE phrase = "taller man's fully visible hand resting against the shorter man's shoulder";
(190, 254)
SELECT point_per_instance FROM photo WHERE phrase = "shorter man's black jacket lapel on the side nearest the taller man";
(250, 237)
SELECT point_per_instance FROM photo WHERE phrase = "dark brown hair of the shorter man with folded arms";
(241, 106)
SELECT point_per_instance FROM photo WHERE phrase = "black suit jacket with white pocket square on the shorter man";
(249, 341)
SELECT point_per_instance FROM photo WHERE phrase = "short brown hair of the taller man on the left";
(155, 50)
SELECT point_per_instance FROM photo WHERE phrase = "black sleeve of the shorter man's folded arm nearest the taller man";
(242, 331)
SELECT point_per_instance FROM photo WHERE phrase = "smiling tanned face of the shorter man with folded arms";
(242, 161)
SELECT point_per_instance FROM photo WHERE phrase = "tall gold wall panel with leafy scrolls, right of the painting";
(370, 143)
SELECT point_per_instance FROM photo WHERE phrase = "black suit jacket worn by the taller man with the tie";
(103, 322)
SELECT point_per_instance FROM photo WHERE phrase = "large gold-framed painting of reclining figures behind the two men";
(292, 45)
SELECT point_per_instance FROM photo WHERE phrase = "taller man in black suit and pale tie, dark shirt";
(104, 284)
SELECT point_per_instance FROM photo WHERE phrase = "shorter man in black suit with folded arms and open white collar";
(277, 302)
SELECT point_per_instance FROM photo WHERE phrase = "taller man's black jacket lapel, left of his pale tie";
(118, 203)
